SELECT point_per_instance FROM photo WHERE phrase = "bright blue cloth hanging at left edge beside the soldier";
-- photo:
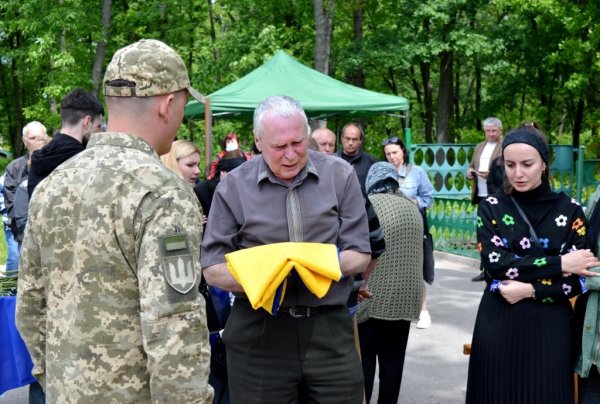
(15, 362)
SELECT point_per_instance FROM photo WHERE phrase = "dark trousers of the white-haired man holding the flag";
(270, 359)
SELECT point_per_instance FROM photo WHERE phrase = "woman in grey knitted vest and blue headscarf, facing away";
(396, 283)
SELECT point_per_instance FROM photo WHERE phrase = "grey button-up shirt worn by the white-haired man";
(249, 209)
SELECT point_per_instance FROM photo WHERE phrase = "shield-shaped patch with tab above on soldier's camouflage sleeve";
(178, 263)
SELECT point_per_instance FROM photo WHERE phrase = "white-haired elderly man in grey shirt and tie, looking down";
(289, 194)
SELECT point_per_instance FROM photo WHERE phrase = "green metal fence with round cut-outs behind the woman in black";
(452, 217)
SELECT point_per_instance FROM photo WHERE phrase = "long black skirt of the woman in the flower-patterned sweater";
(521, 353)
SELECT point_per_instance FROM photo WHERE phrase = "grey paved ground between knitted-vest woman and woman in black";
(435, 371)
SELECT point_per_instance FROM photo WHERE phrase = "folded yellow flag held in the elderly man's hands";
(262, 270)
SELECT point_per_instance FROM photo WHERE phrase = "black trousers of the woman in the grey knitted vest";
(384, 341)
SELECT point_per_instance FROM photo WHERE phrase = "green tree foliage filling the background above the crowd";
(531, 60)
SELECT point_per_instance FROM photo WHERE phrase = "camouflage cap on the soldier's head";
(147, 68)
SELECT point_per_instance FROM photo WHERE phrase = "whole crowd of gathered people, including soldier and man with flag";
(131, 286)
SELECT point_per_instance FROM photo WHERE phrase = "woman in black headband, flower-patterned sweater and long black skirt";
(521, 350)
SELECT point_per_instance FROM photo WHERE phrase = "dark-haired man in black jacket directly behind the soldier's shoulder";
(81, 115)
